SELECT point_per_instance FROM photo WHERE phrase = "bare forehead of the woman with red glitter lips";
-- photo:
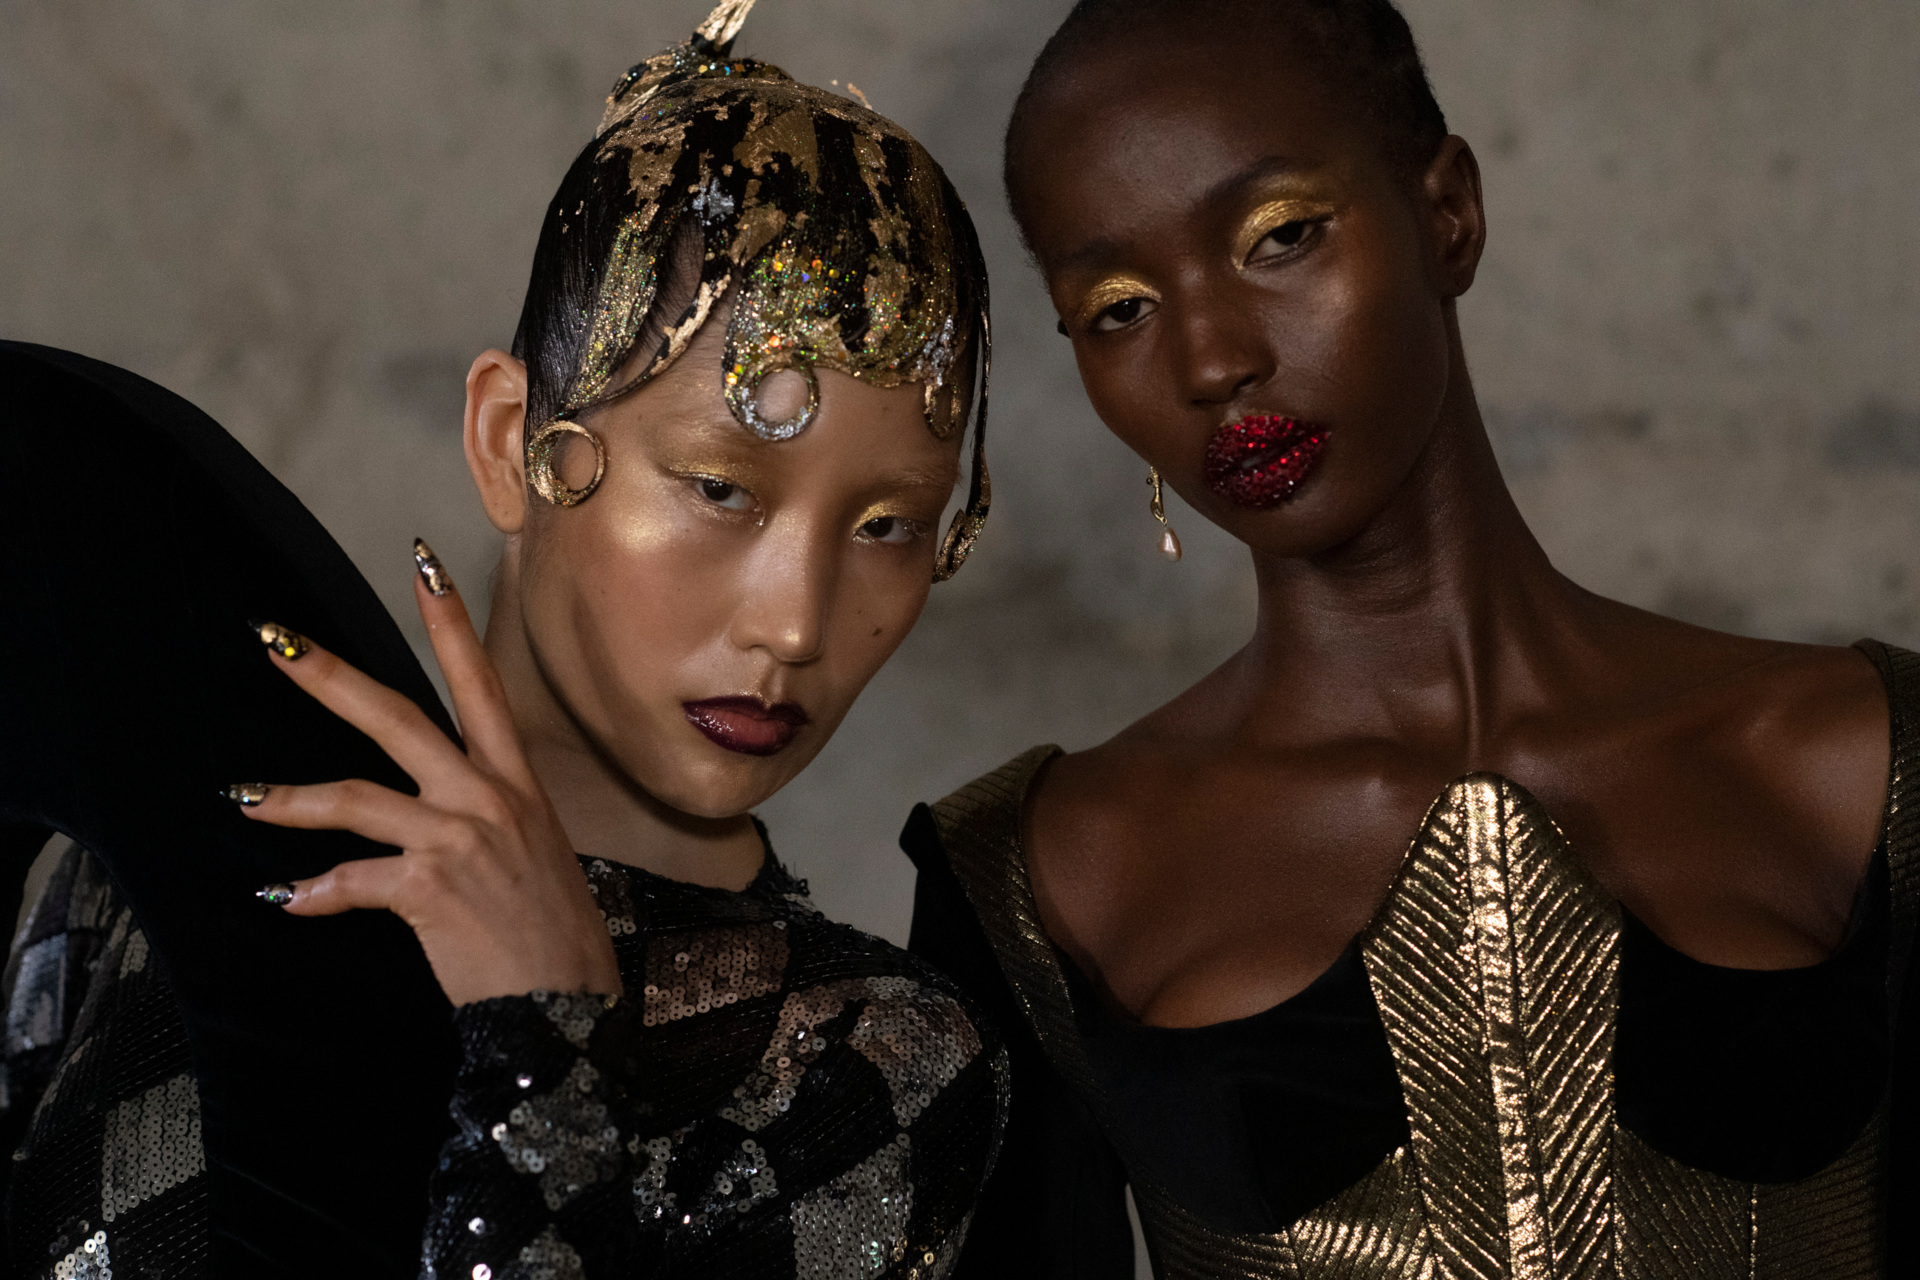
(1151, 131)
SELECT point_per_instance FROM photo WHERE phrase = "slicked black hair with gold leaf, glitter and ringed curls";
(830, 231)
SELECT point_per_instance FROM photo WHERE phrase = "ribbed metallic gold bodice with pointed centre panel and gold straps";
(1495, 962)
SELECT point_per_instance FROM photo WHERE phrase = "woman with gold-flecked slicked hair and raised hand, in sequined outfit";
(719, 454)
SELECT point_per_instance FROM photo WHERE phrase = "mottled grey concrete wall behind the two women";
(1694, 333)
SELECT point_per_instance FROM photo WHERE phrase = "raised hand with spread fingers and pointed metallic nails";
(487, 878)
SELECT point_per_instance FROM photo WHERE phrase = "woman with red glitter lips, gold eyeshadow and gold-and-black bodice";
(1449, 830)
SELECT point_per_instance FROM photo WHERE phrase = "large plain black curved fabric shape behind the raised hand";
(139, 538)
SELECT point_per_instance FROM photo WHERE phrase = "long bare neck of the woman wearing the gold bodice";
(1447, 594)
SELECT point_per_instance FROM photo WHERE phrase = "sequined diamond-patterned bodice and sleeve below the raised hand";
(777, 1097)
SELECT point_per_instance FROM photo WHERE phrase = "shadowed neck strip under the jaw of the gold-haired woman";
(604, 811)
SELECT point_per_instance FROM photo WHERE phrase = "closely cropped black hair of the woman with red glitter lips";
(1364, 45)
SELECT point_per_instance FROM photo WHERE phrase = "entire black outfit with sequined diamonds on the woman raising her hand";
(792, 1101)
